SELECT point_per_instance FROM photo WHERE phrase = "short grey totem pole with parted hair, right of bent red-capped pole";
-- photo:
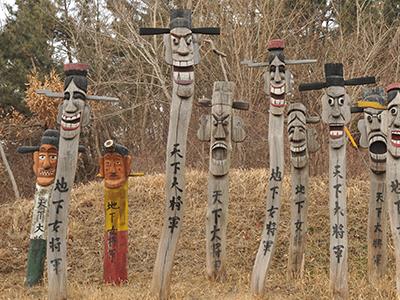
(303, 141)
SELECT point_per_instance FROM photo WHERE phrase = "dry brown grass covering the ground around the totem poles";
(146, 205)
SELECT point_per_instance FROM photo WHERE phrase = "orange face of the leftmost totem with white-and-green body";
(45, 164)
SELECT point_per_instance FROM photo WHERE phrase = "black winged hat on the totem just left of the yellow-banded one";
(334, 77)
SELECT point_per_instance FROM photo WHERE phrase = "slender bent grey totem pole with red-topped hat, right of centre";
(278, 82)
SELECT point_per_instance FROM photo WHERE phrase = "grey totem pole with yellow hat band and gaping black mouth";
(373, 138)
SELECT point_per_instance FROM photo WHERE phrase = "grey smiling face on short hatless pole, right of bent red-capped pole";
(297, 131)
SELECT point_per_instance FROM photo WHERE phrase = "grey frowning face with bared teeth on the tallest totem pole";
(182, 54)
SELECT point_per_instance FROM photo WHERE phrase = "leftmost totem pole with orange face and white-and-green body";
(44, 167)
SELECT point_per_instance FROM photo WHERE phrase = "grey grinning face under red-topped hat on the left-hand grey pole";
(73, 112)
